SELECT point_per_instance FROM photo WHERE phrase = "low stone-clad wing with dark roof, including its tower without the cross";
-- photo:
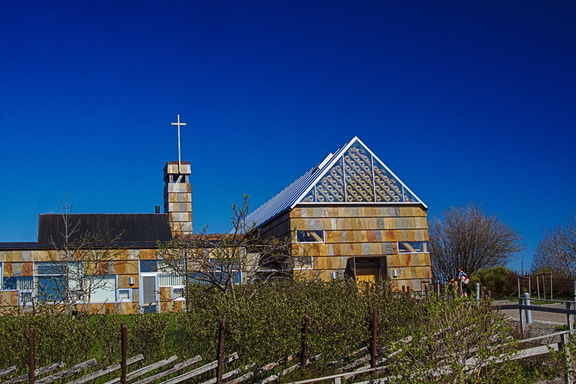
(101, 262)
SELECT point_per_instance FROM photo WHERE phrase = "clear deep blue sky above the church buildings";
(466, 101)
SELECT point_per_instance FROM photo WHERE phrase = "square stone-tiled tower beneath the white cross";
(178, 196)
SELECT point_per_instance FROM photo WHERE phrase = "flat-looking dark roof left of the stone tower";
(122, 228)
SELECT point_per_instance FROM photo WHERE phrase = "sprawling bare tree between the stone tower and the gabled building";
(225, 261)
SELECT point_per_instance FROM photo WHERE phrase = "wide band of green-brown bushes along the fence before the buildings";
(265, 323)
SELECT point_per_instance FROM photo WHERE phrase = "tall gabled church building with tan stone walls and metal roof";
(351, 216)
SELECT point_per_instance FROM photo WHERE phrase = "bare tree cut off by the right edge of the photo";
(556, 251)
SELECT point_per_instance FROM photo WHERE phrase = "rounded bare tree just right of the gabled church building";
(468, 238)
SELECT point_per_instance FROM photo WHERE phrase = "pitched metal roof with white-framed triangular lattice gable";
(336, 181)
